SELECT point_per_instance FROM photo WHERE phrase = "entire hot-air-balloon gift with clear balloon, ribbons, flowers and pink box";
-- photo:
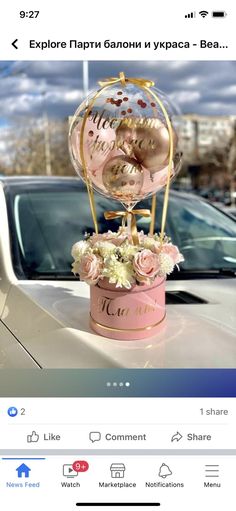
(124, 145)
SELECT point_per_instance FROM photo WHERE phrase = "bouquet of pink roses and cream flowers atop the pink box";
(113, 256)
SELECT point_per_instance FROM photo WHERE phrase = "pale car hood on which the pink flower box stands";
(51, 320)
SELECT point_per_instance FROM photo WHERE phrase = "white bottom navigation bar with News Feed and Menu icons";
(187, 470)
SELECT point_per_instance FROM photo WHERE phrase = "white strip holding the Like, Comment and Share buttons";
(158, 418)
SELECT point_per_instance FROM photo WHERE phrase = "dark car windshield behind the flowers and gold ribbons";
(46, 222)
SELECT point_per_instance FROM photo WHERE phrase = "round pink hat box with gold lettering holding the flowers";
(127, 314)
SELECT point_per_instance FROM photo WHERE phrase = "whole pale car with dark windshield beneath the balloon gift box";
(44, 309)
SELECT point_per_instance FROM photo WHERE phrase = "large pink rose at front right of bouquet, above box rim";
(146, 266)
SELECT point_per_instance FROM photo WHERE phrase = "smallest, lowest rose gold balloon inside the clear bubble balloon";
(123, 179)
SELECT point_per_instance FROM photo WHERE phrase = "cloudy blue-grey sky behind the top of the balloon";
(29, 88)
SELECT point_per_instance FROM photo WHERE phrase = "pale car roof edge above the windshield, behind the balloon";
(22, 181)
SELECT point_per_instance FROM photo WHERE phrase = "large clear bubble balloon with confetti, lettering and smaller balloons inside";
(120, 142)
